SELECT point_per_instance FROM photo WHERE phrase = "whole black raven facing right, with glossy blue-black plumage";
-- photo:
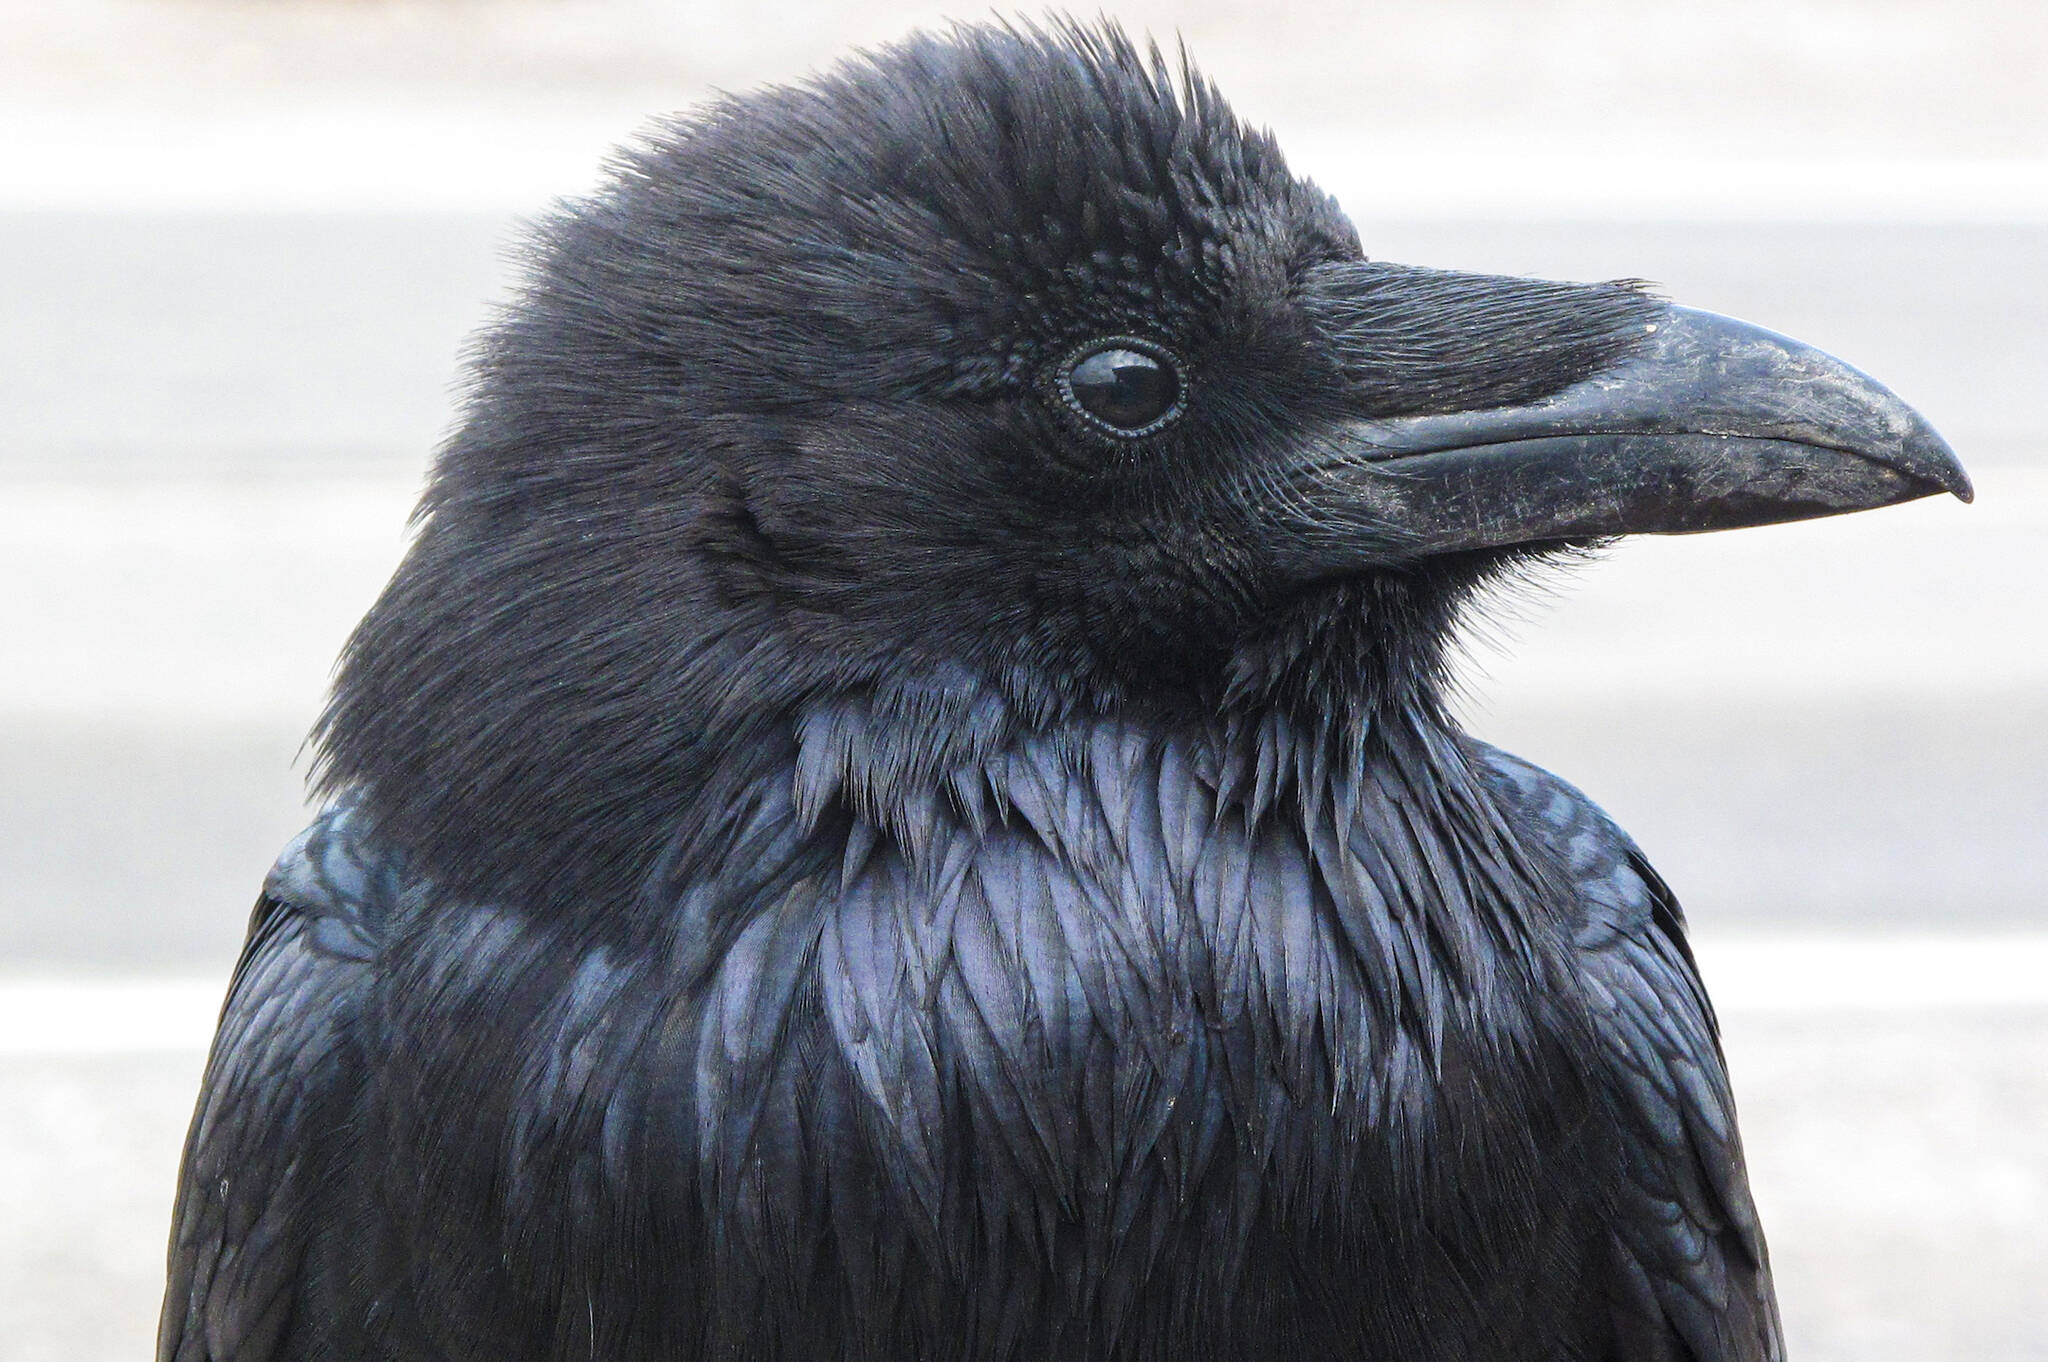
(900, 804)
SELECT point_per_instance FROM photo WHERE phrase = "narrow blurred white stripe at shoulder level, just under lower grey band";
(1748, 974)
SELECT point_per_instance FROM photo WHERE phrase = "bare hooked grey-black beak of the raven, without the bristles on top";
(1711, 425)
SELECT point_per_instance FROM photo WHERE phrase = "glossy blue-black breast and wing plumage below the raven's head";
(1328, 1084)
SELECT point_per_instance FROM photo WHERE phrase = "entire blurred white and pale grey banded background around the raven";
(241, 249)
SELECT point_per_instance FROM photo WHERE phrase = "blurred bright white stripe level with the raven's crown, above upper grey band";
(450, 157)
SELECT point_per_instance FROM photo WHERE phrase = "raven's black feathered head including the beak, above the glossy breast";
(1000, 378)
